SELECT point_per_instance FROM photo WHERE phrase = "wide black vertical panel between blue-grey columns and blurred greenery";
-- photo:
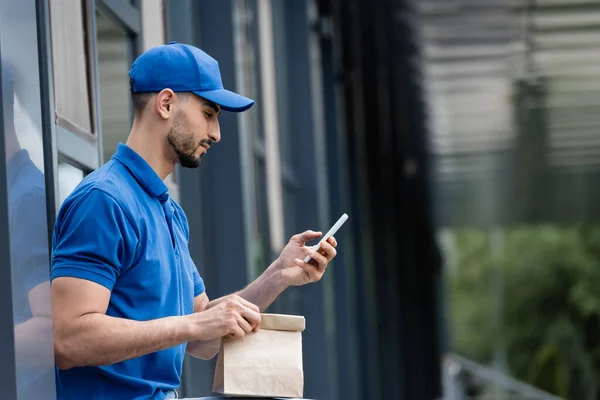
(389, 196)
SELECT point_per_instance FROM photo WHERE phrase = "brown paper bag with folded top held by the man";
(266, 363)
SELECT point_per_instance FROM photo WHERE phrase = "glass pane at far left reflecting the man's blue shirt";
(27, 201)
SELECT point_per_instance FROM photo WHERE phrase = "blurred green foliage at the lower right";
(536, 295)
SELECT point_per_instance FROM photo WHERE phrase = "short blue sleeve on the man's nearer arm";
(93, 239)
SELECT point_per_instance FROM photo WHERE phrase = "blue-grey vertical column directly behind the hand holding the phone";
(302, 133)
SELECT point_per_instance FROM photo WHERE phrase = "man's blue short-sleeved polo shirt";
(120, 229)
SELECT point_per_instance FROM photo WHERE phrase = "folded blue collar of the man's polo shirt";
(142, 172)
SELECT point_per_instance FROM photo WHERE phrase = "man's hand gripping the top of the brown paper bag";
(232, 316)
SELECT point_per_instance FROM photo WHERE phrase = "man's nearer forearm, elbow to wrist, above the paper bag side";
(98, 339)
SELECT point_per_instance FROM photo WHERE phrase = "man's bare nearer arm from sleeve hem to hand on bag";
(84, 335)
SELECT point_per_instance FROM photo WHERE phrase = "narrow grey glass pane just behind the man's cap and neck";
(113, 67)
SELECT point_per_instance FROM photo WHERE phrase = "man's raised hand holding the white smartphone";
(294, 270)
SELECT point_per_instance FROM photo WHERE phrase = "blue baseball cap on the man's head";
(184, 68)
